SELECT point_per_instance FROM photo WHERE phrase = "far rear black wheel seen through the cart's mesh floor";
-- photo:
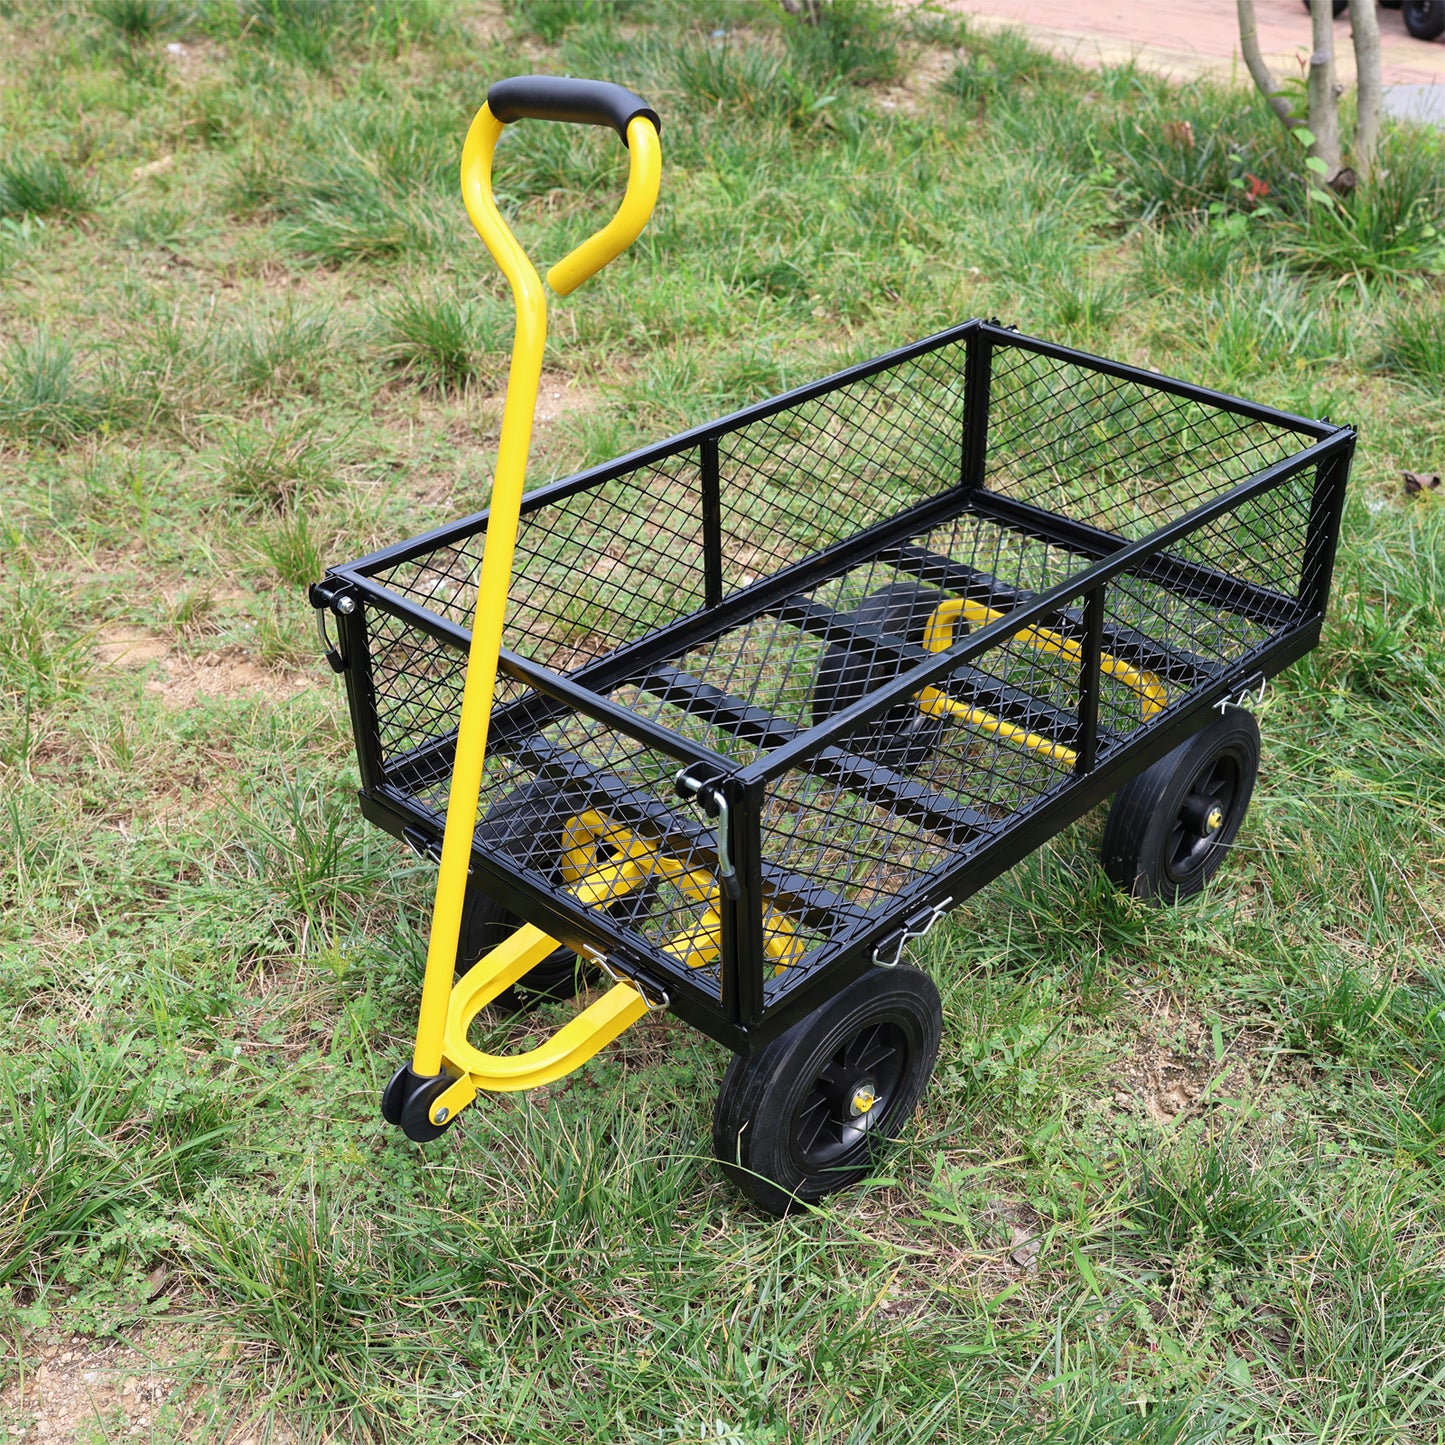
(905, 736)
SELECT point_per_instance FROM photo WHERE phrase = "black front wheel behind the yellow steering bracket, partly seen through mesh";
(530, 826)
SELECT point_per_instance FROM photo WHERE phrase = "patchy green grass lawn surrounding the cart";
(1180, 1177)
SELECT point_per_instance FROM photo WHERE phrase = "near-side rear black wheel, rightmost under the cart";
(1170, 829)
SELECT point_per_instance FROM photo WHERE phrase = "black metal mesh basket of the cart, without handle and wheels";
(670, 611)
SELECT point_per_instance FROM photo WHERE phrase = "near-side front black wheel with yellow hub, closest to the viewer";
(819, 1108)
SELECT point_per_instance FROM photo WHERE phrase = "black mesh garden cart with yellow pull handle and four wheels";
(736, 717)
